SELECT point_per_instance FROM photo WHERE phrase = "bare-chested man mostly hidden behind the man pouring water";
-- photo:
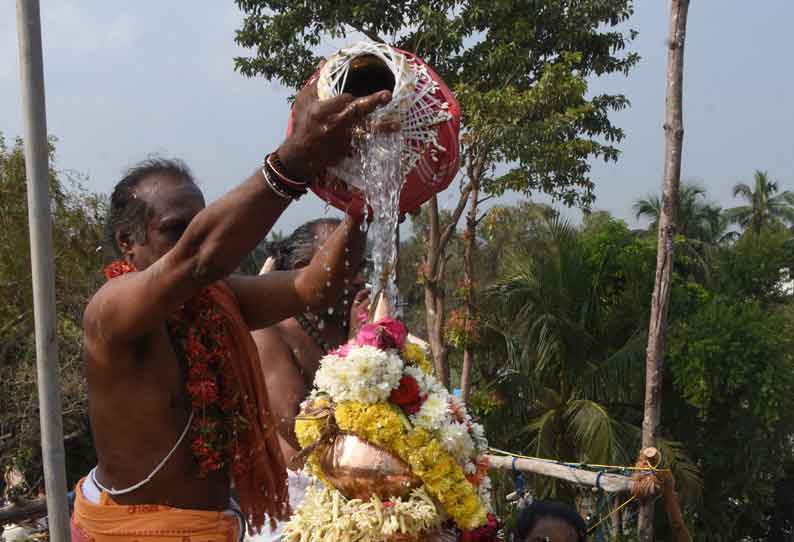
(290, 351)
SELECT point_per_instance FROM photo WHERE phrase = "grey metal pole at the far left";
(37, 168)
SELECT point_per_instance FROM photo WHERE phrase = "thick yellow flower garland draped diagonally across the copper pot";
(382, 425)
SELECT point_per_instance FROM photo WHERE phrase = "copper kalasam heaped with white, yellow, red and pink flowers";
(396, 455)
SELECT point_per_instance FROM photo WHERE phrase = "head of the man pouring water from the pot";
(150, 208)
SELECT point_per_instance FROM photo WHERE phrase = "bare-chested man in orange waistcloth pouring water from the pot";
(172, 329)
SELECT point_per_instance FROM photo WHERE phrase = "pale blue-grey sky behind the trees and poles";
(128, 79)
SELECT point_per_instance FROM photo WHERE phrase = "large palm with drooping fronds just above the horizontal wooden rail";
(575, 367)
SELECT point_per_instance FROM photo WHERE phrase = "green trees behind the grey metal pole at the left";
(77, 235)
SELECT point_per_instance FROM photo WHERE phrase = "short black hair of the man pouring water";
(129, 213)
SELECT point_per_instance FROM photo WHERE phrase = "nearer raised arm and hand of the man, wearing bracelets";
(219, 237)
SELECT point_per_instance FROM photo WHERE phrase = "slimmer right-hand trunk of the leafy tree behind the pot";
(469, 247)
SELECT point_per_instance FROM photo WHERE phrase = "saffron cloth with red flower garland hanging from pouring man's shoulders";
(232, 426)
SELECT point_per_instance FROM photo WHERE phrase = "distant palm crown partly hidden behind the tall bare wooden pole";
(697, 219)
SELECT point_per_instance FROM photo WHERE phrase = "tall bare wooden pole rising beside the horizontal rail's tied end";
(674, 135)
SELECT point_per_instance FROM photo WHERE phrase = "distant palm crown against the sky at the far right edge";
(763, 206)
